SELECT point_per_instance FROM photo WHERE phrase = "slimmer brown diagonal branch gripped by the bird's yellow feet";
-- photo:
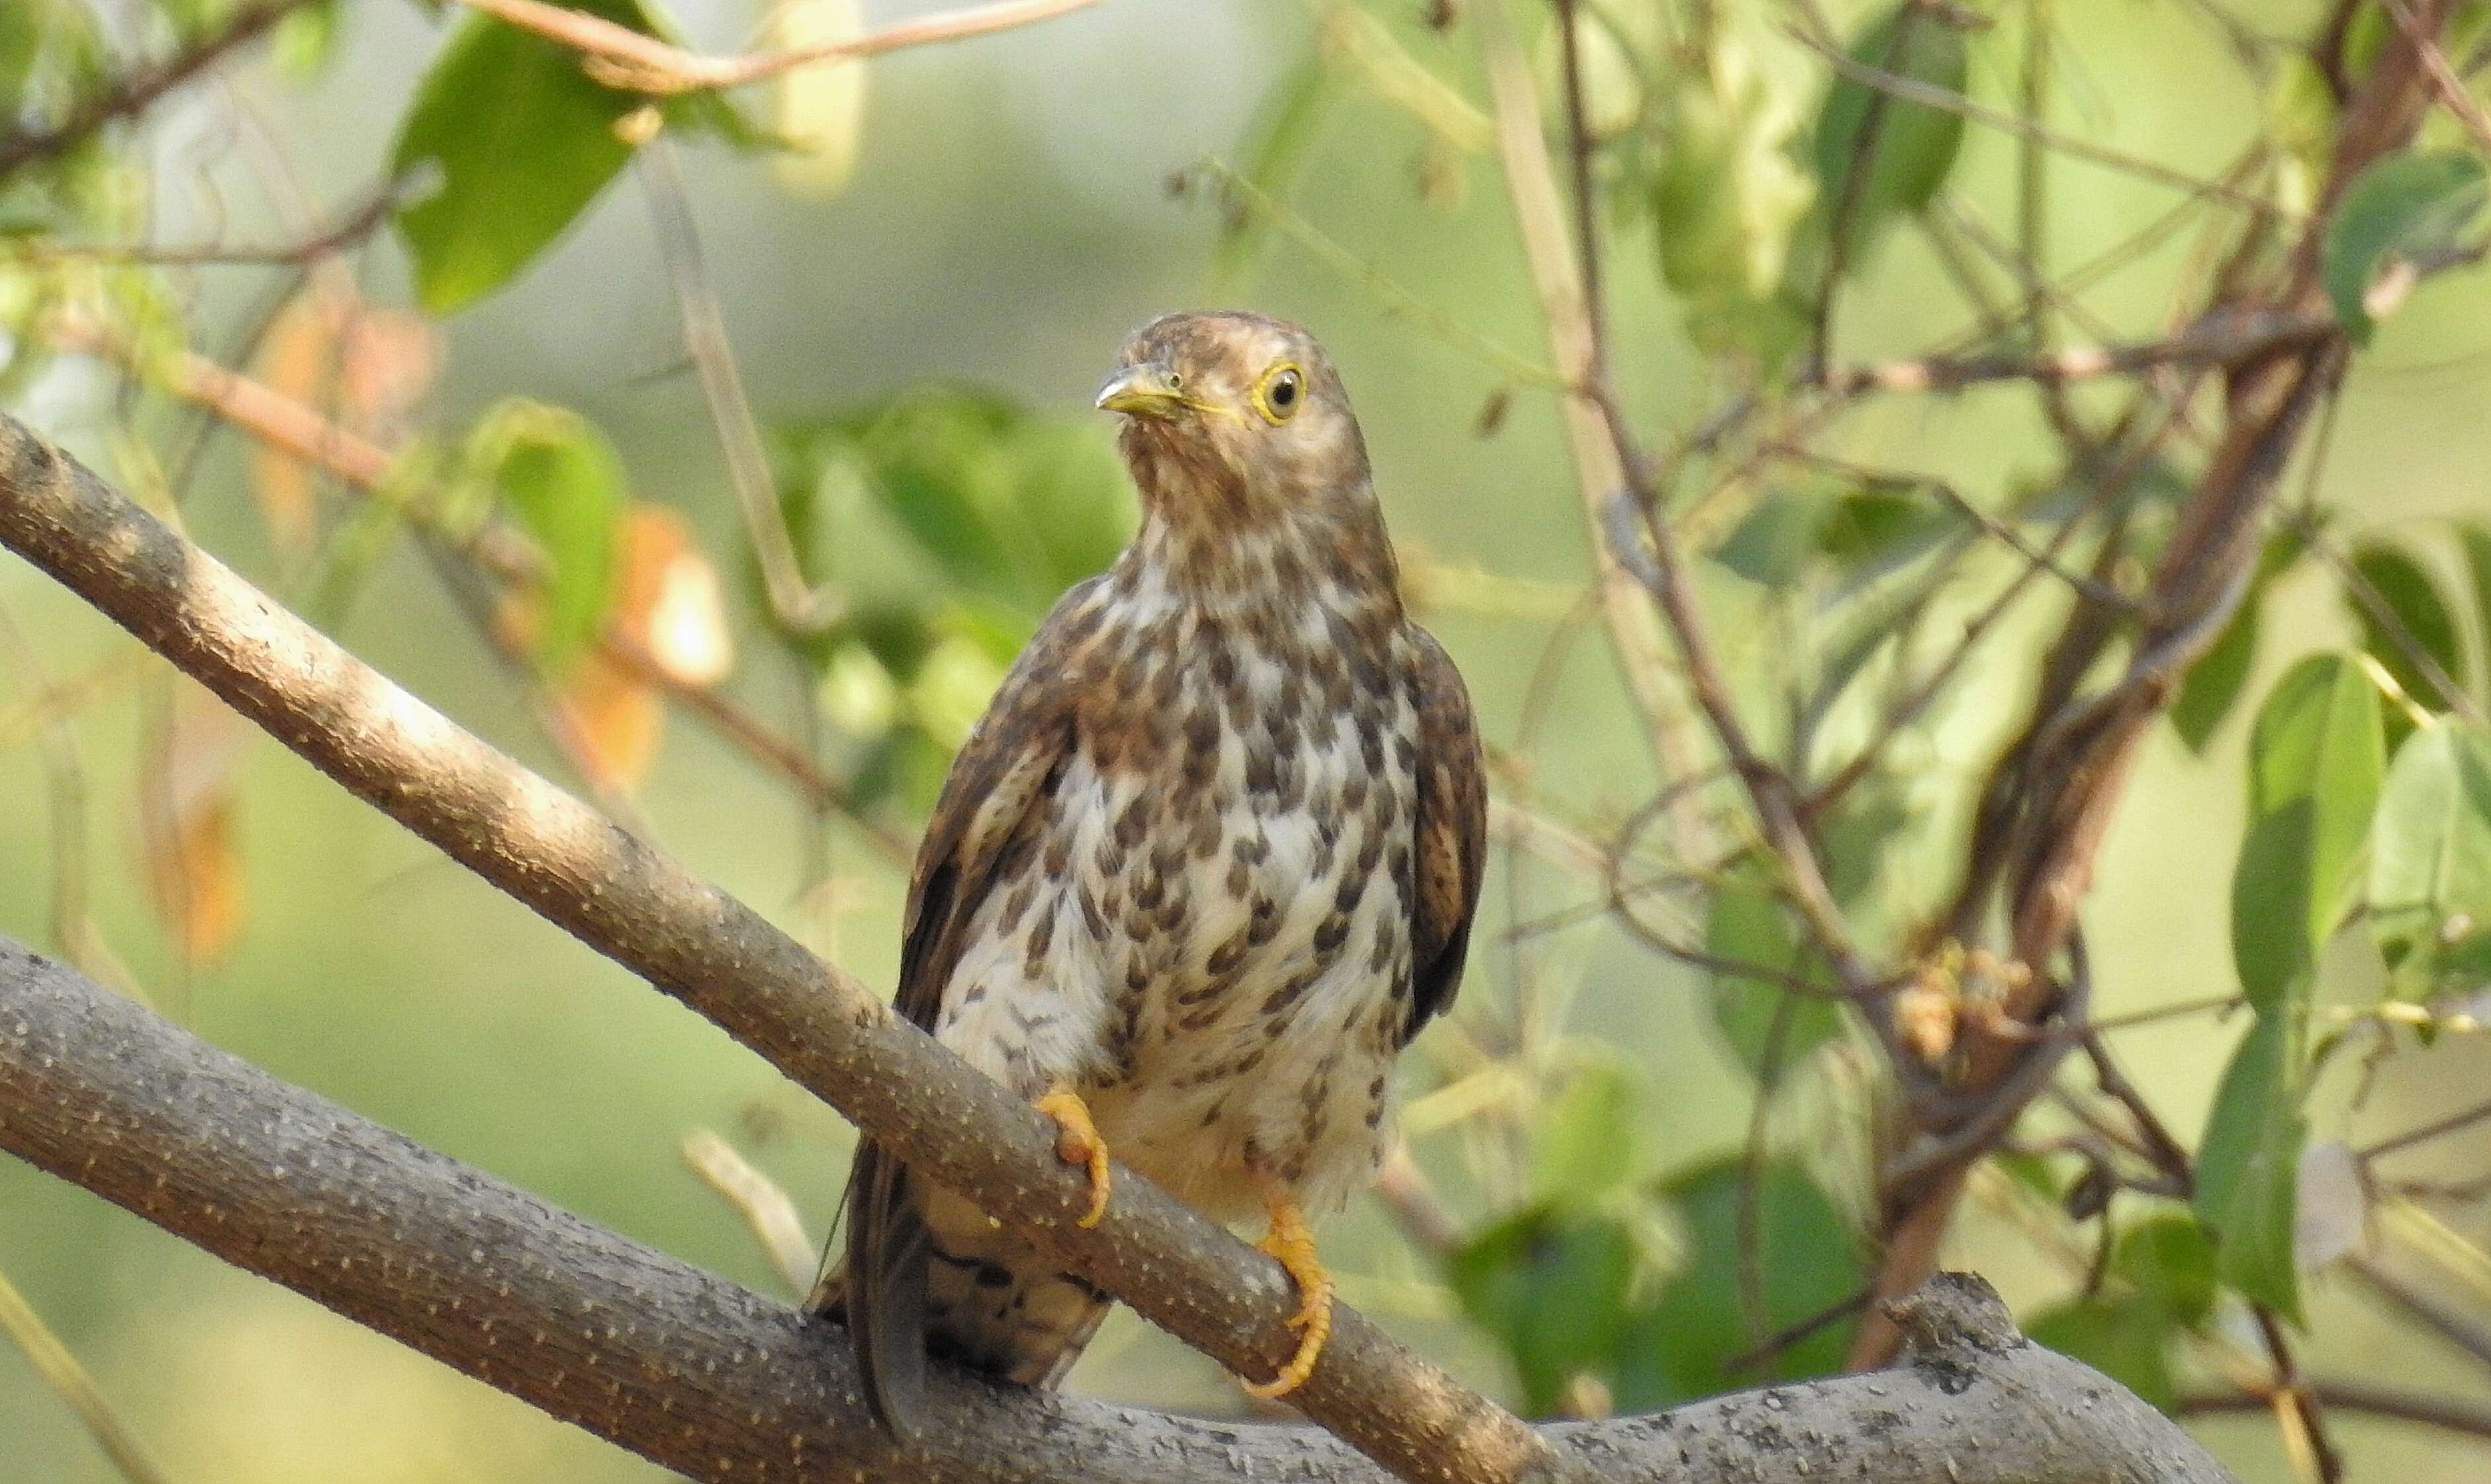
(724, 960)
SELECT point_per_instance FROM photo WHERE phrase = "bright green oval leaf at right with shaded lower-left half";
(2315, 763)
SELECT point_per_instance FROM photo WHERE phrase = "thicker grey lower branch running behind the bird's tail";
(719, 1383)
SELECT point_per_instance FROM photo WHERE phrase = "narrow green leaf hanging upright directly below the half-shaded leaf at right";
(2248, 1167)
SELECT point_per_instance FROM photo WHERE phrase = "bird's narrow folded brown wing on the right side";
(1451, 830)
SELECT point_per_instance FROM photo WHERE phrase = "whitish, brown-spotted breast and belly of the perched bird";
(1227, 1142)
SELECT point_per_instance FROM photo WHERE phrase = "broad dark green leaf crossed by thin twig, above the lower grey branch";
(1683, 1343)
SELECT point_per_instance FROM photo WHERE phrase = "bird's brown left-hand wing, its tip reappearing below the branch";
(1008, 766)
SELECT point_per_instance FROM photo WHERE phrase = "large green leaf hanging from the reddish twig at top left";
(519, 141)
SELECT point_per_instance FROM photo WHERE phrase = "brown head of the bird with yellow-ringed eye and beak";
(1237, 420)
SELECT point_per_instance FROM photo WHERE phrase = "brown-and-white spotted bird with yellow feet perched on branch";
(1197, 878)
